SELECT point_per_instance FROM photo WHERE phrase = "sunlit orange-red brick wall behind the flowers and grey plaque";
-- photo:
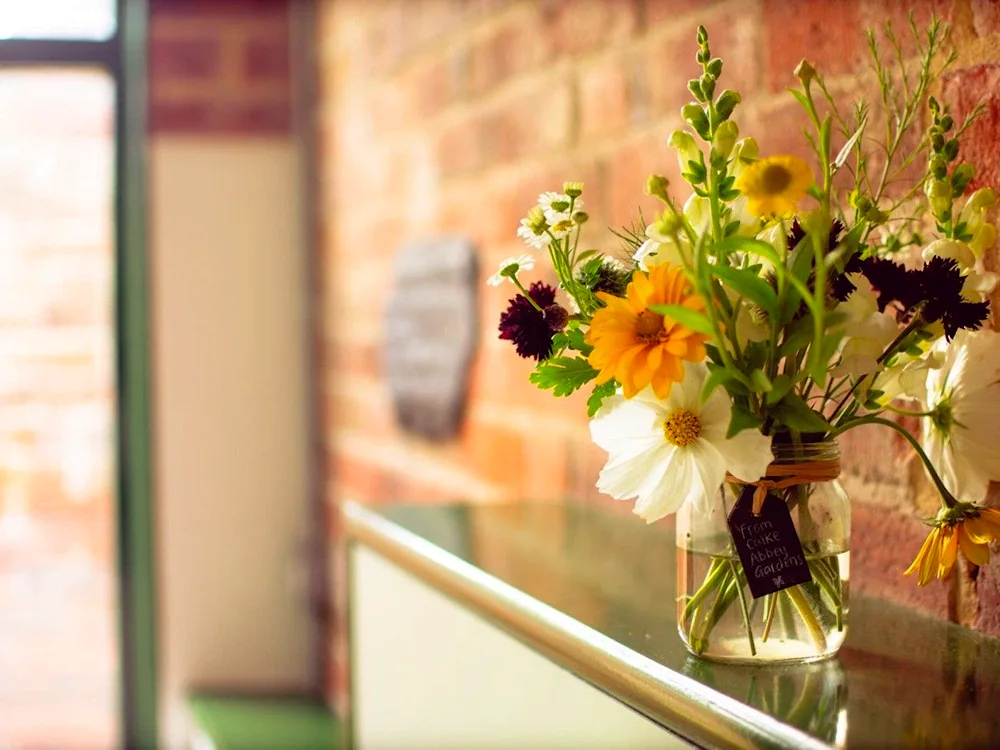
(445, 116)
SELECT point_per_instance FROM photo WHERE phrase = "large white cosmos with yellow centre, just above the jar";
(667, 453)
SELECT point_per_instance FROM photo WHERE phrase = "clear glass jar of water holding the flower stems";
(717, 616)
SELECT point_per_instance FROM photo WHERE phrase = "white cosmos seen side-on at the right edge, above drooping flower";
(962, 436)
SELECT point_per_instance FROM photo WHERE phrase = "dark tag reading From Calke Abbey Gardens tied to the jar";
(767, 544)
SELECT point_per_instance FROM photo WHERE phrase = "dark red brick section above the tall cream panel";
(219, 67)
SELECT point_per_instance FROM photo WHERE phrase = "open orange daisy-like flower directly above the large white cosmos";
(639, 347)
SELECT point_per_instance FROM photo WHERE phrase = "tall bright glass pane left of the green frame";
(58, 643)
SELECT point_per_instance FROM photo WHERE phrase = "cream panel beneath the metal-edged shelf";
(448, 679)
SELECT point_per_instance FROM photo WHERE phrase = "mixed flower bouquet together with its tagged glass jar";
(741, 332)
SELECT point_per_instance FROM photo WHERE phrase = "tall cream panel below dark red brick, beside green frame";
(228, 320)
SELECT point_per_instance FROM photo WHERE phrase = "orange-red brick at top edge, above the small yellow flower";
(826, 32)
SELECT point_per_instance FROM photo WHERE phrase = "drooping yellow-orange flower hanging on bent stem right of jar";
(972, 533)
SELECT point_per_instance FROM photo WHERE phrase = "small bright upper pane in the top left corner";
(57, 19)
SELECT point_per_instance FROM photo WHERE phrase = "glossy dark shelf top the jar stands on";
(902, 678)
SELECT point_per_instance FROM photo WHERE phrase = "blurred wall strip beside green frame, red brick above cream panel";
(230, 357)
